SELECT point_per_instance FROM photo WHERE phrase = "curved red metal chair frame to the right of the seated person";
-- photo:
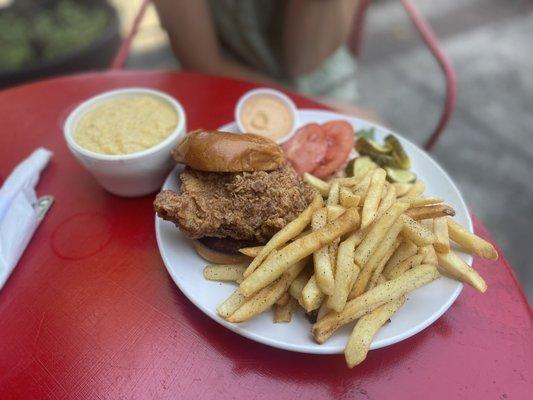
(428, 36)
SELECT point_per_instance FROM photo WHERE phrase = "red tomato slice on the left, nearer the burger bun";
(307, 149)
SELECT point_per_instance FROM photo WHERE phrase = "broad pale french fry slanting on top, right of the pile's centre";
(376, 233)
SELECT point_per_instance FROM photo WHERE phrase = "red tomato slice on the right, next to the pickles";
(340, 139)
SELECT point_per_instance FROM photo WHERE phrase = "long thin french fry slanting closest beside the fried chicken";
(292, 229)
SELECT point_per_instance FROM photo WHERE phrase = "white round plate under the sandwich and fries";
(422, 308)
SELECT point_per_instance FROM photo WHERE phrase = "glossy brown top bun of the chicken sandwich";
(215, 151)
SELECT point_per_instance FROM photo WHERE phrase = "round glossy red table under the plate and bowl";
(91, 313)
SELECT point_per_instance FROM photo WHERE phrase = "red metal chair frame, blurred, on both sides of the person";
(426, 33)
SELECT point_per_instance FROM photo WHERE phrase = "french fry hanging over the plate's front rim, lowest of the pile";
(365, 330)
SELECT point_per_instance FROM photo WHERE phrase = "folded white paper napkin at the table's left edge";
(19, 215)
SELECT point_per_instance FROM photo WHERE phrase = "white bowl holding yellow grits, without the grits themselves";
(128, 175)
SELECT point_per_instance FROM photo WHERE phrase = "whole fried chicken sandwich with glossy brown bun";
(236, 191)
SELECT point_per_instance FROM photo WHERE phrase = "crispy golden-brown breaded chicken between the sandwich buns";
(250, 206)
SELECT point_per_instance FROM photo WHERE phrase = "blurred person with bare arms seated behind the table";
(300, 44)
